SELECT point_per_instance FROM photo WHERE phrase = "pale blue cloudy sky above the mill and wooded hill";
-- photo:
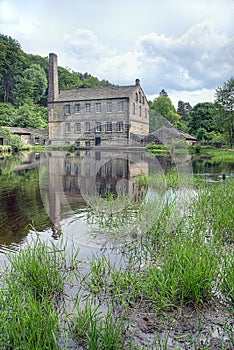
(185, 47)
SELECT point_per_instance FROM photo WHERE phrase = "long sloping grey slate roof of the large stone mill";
(97, 93)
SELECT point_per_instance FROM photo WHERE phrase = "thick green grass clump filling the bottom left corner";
(30, 295)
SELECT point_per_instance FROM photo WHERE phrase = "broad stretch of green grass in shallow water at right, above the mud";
(177, 264)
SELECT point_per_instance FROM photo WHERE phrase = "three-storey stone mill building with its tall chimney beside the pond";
(90, 117)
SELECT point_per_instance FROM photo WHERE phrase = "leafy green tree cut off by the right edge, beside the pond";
(224, 117)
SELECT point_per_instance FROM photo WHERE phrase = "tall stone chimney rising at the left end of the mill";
(53, 78)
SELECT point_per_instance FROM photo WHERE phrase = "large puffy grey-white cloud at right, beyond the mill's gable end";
(200, 58)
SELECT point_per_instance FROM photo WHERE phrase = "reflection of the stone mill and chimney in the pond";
(73, 177)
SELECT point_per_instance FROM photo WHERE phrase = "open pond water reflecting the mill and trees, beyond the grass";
(49, 193)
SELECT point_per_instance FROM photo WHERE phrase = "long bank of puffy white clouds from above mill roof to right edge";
(201, 58)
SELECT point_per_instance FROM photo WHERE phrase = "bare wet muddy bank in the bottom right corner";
(209, 326)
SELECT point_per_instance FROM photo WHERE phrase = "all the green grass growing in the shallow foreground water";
(184, 257)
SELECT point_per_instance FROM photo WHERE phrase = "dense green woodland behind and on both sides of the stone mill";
(23, 97)
